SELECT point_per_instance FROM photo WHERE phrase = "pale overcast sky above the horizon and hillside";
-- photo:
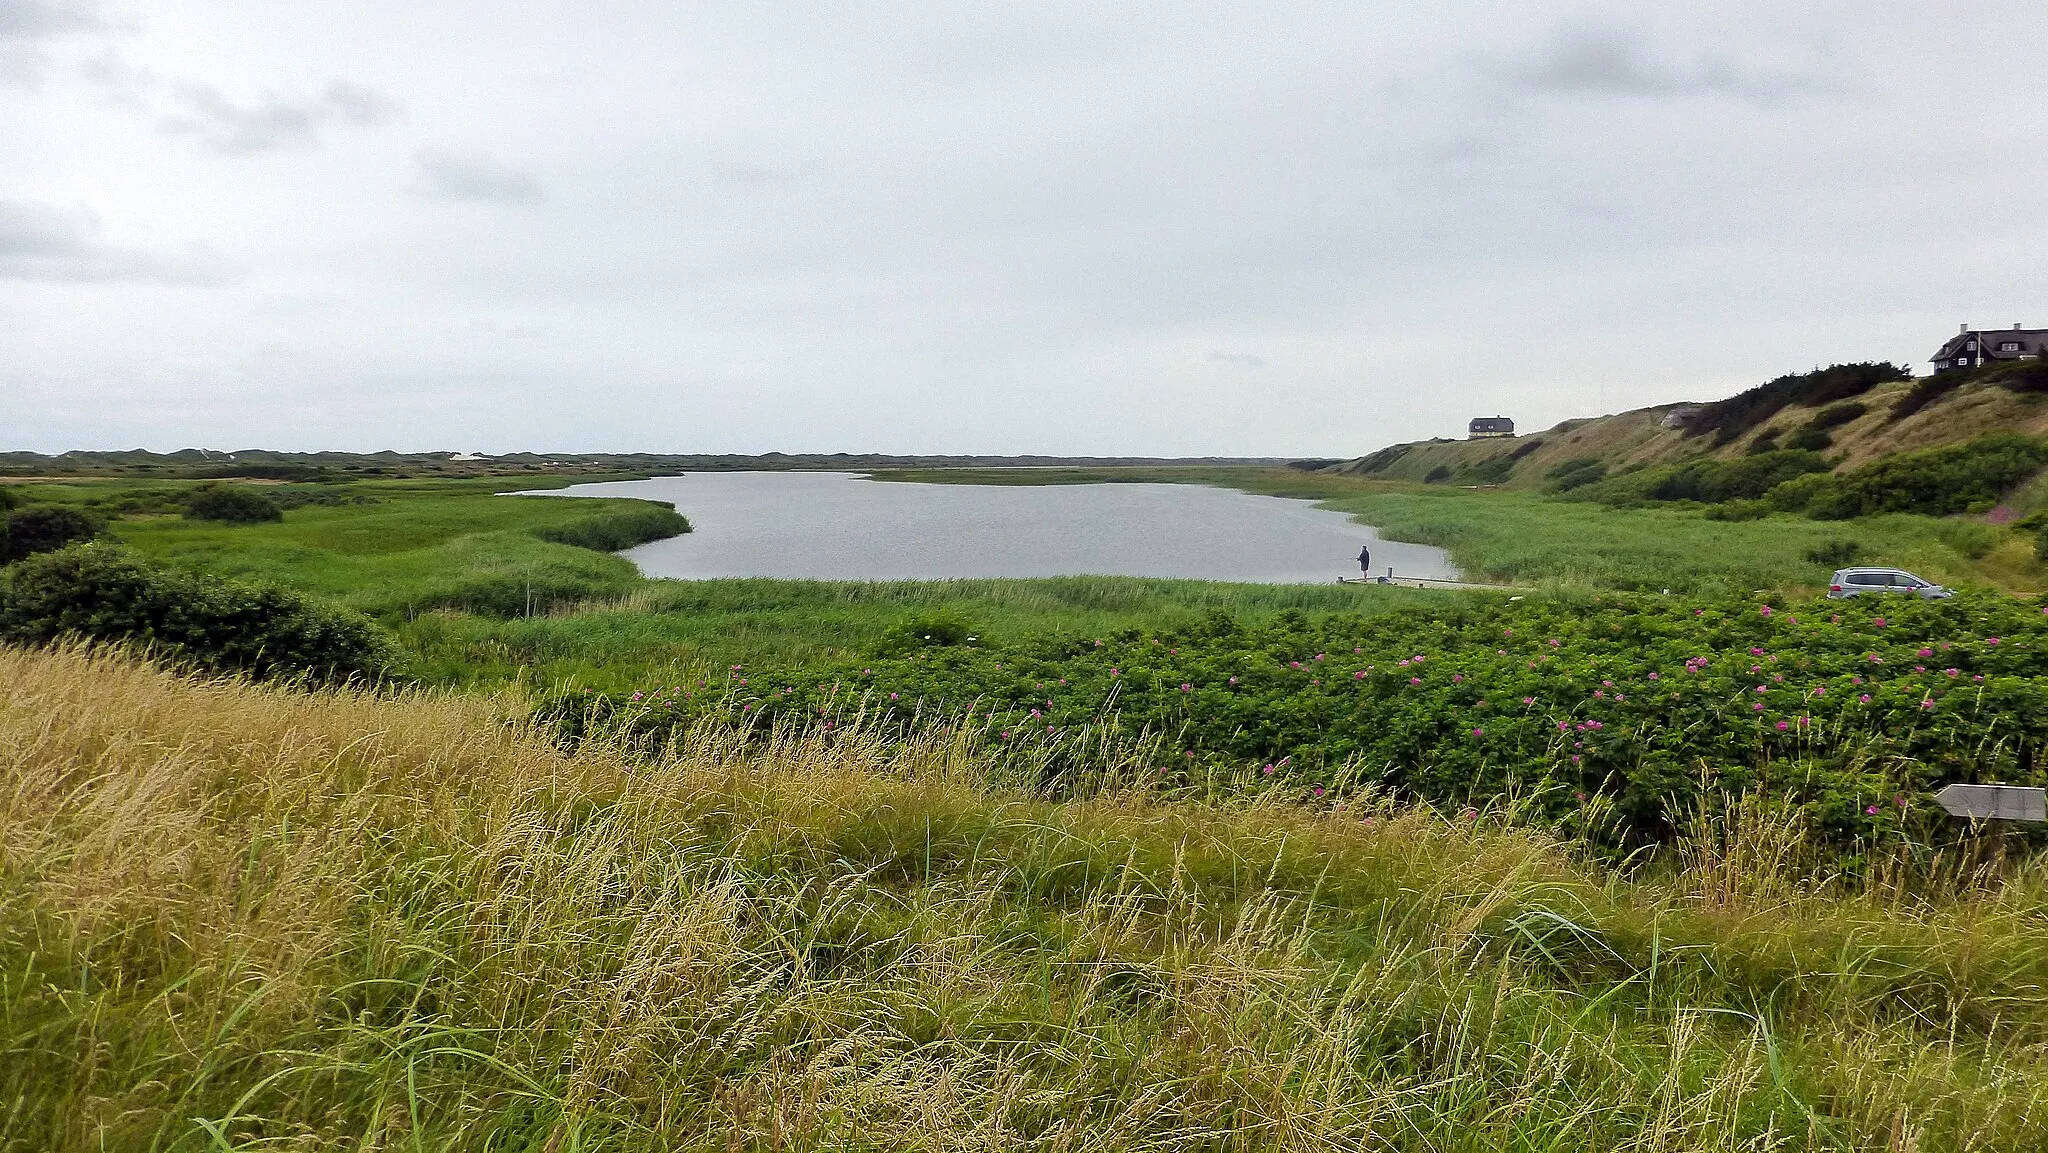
(1168, 228)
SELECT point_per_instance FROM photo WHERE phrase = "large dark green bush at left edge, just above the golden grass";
(103, 593)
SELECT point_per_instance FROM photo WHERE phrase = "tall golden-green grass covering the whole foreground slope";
(249, 919)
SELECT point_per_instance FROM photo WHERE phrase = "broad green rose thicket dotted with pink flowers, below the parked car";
(1844, 708)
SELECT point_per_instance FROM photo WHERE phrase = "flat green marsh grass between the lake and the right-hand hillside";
(1525, 538)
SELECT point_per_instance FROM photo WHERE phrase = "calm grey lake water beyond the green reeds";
(847, 527)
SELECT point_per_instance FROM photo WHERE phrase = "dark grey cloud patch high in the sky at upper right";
(1598, 58)
